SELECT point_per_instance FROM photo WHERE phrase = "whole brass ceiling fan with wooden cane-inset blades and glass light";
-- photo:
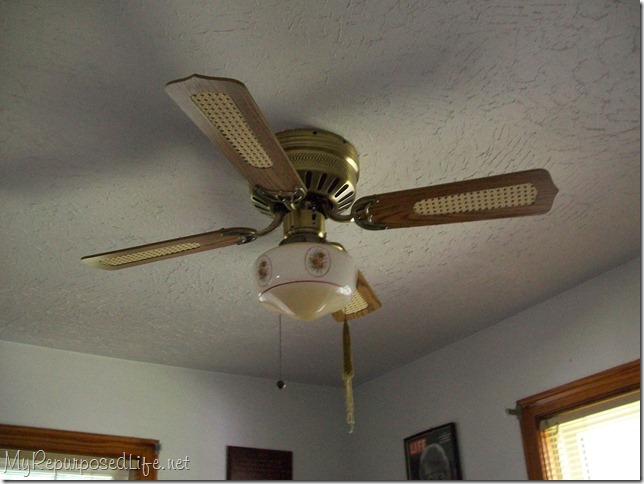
(302, 177)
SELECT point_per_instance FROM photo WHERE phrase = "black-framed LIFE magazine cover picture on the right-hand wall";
(433, 454)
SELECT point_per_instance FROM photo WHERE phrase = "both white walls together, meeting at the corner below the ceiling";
(193, 413)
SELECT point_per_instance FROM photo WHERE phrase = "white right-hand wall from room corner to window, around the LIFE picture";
(585, 330)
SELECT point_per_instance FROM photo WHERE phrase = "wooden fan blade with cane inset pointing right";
(517, 194)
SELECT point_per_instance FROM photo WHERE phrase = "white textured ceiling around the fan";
(94, 156)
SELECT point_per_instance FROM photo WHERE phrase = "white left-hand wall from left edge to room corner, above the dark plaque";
(193, 413)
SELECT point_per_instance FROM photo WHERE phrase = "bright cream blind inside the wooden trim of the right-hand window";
(599, 441)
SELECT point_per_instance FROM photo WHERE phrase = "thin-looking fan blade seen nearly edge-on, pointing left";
(120, 259)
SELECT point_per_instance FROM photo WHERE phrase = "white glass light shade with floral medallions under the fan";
(305, 280)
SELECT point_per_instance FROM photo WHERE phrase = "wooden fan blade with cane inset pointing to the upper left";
(226, 112)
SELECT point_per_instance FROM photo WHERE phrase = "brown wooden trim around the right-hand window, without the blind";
(532, 410)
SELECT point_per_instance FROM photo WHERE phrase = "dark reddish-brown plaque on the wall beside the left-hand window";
(250, 464)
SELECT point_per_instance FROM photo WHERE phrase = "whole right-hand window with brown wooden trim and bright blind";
(587, 429)
